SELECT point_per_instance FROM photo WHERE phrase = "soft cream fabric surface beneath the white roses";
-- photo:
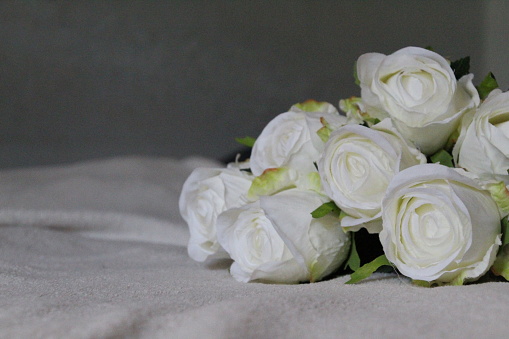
(98, 250)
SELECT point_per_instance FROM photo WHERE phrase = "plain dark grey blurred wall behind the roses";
(84, 80)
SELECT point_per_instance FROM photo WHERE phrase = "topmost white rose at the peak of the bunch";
(418, 90)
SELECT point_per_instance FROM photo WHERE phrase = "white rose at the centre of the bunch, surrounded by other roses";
(356, 167)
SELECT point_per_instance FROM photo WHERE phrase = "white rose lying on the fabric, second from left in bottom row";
(277, 240)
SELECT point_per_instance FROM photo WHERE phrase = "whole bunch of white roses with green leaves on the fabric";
(420, 159)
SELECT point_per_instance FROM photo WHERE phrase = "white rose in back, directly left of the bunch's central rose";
(290, 139)
